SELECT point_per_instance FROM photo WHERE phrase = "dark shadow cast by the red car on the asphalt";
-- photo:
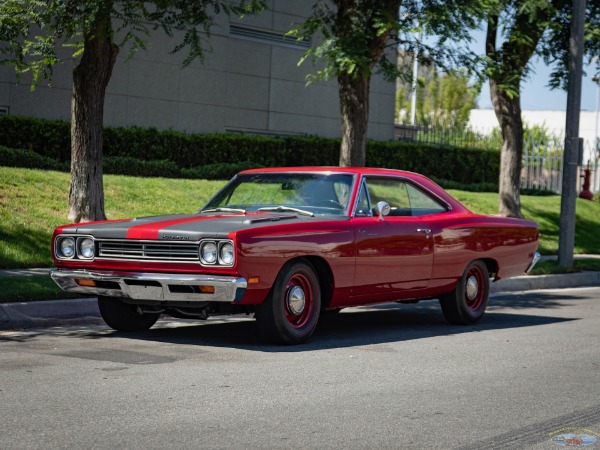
(352, 327)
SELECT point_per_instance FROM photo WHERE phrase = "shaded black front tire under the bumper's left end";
(123, 317)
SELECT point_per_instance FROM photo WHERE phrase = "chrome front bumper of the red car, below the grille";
(152, 286)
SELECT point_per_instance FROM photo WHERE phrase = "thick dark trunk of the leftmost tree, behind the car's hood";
(90, 78)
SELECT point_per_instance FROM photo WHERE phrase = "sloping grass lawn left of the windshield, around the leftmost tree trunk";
(34, 202)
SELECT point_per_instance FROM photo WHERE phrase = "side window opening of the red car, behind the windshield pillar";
(404, 198)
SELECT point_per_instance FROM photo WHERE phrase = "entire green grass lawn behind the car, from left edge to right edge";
(34, 202)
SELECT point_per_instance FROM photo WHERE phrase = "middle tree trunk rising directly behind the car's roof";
(354, 106)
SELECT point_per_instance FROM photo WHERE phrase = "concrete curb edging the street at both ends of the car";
(85, 310)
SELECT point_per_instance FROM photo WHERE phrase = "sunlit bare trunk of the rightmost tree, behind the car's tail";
(508, 112)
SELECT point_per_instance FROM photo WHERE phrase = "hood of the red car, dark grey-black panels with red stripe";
(185, 227)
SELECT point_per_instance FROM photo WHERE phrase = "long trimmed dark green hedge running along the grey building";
(149, 152)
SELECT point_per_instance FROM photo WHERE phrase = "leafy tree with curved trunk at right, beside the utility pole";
(517, 31)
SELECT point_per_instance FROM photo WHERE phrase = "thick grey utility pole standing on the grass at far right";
(571, 157)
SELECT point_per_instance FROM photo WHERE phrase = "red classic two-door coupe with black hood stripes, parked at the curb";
(287, 244)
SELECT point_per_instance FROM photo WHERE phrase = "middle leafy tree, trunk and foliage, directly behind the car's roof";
(351, 38)
